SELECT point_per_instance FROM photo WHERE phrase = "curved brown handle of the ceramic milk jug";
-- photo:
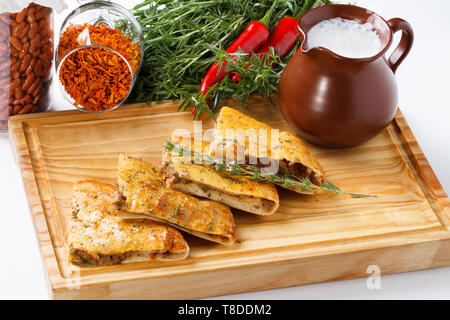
(406, 42)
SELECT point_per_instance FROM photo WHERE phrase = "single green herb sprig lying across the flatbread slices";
(285, 180)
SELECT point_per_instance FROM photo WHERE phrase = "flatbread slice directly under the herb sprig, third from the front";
(204, 181)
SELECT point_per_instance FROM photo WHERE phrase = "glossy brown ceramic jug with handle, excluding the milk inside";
(335, 101)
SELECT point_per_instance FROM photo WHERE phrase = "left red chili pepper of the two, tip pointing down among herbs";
(255, 35)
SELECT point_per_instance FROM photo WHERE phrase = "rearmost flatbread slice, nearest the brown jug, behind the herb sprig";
(255, 140)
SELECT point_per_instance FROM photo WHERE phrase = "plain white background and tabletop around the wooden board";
(424, 82)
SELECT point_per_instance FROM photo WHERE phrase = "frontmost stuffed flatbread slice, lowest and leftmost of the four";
(98, 236)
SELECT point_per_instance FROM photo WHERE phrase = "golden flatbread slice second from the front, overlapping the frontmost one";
(142, 190)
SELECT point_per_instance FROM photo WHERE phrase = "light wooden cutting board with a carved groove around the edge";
(310, 239)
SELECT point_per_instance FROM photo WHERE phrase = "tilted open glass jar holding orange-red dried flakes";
(99, 55)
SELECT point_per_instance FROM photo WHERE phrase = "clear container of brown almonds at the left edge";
(26, 56)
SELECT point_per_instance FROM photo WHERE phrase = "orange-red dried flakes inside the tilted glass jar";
(97, 79)
